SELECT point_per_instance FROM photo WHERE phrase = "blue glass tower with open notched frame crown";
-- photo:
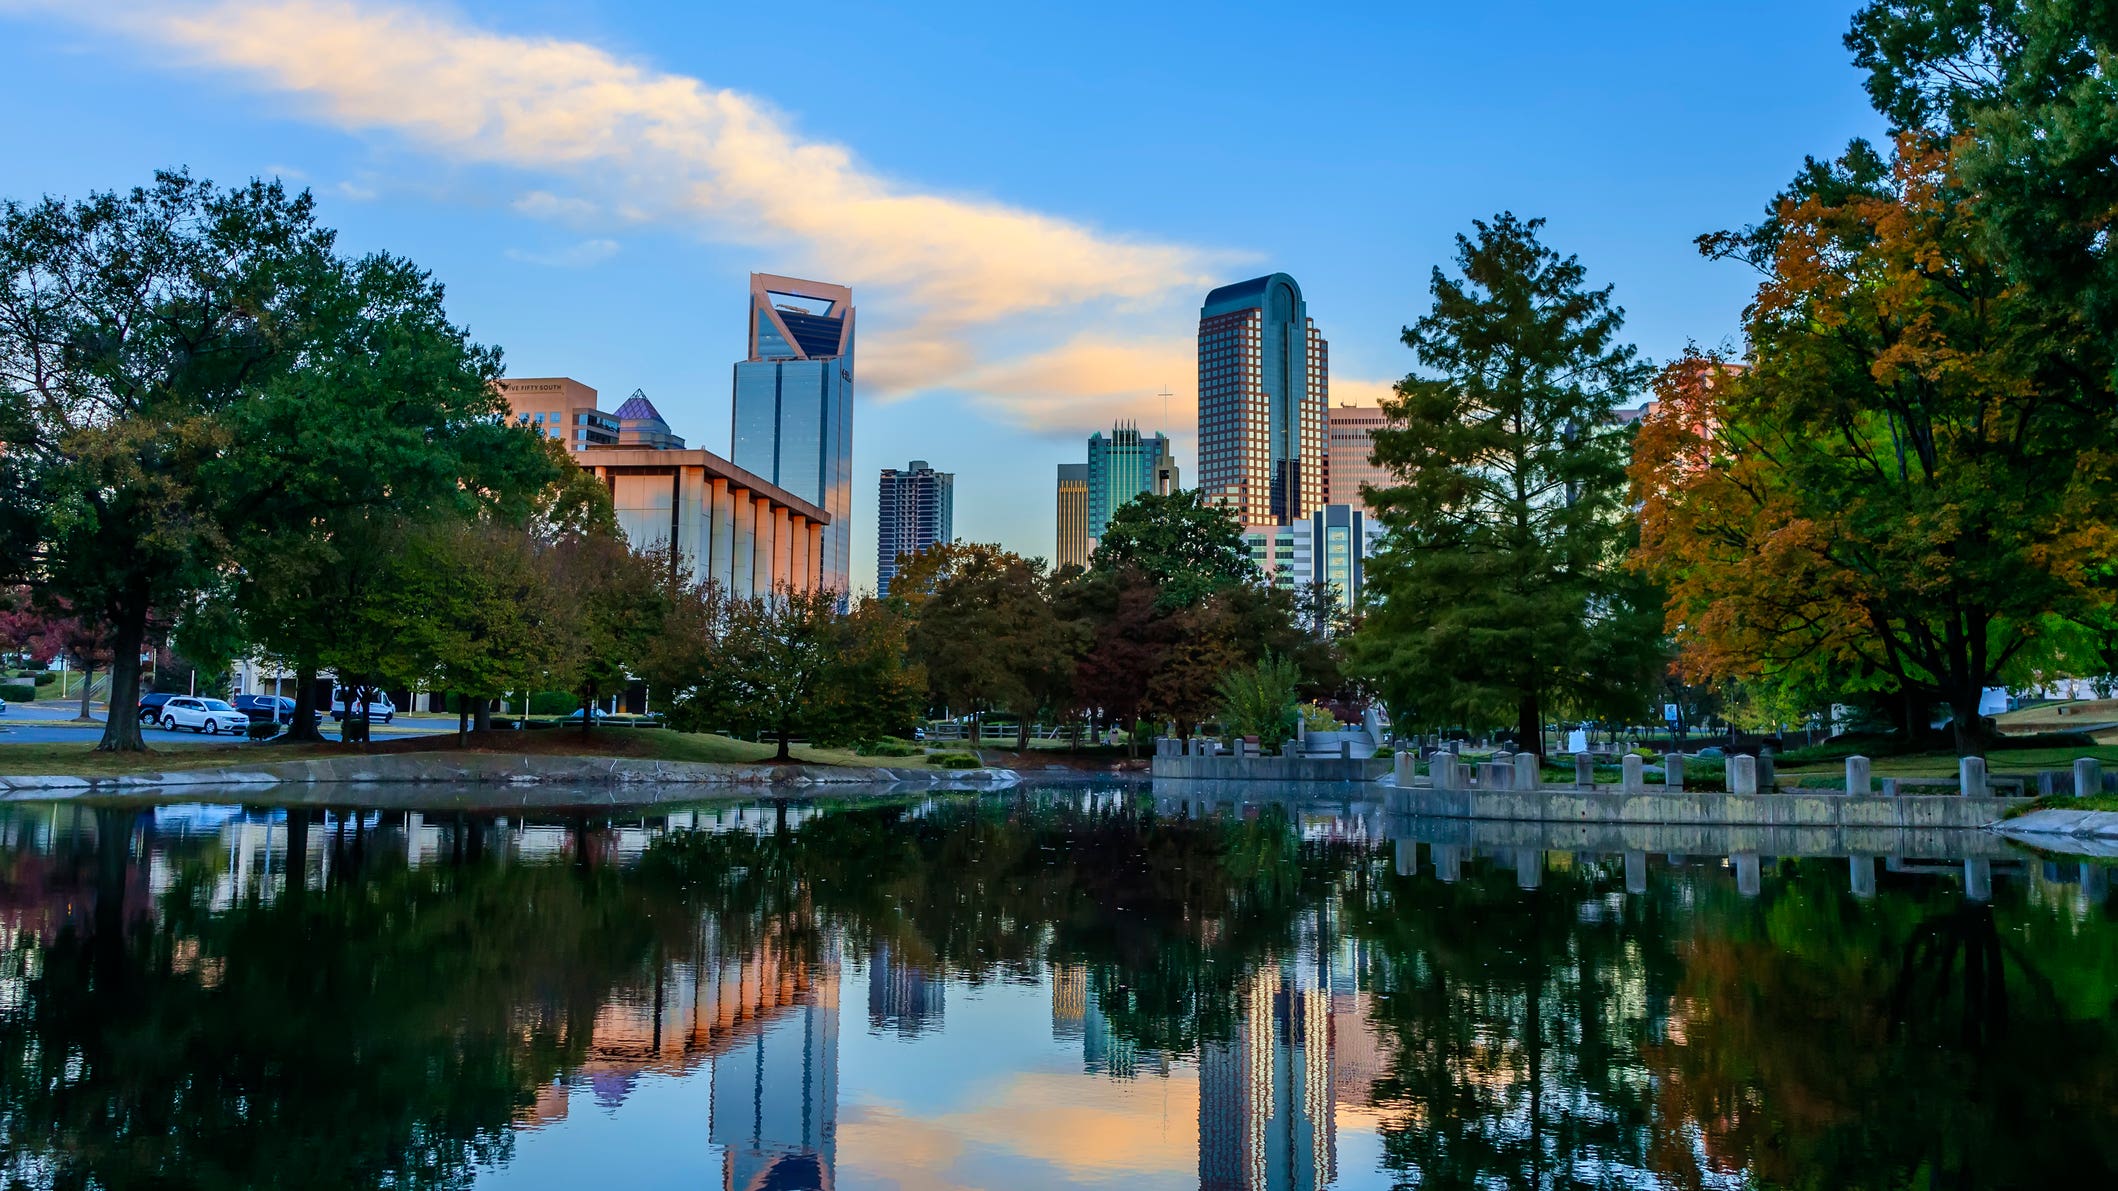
(795, 404)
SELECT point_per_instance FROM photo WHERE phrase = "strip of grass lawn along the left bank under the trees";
(660, 745)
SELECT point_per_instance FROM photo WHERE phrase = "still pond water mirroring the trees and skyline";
(1049, 989)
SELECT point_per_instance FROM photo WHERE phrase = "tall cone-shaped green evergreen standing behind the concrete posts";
(1507, 505)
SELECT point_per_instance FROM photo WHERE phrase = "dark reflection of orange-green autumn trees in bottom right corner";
(1825, 1042)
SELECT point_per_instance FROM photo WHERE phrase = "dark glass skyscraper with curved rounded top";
(1263, 391)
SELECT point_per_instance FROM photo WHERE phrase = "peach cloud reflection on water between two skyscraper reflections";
(1081, 1128)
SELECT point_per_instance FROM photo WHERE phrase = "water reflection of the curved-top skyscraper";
(1266, 1095)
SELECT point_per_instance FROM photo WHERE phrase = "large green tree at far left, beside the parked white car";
(132, 325)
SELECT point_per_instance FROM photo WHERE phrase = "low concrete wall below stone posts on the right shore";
(1725, 811)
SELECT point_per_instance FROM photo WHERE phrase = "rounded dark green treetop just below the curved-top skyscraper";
(1187, 548)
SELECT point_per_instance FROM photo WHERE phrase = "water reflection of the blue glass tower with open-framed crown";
(776, 1099)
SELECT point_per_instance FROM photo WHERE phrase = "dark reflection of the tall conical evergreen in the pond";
(1518, 1023)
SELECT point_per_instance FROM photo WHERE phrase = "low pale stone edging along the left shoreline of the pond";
(497, 768)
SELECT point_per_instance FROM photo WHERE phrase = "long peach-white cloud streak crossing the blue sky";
(937, 277)
